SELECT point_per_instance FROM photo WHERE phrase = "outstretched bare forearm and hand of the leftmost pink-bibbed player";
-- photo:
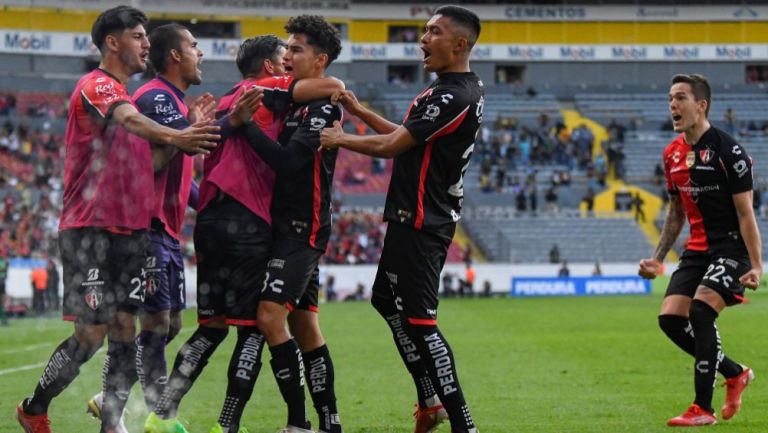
(198, 138)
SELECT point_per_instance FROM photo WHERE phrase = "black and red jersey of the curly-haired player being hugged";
(301, 204)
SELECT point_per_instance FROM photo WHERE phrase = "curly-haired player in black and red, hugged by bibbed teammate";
(301, 223)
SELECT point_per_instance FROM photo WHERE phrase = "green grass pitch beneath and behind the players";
(560, 365)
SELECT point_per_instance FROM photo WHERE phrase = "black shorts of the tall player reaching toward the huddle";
(409, 272)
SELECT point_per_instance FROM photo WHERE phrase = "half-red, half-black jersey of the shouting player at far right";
(706, 175)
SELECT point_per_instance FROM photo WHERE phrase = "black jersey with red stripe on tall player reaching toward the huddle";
(427, 186)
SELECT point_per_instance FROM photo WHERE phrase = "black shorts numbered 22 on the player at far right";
(718, 271)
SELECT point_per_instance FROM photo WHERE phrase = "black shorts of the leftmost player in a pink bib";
(103, 273)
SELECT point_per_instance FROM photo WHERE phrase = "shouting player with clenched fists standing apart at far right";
(709, 179)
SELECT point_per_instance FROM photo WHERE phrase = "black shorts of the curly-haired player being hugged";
(290, 270)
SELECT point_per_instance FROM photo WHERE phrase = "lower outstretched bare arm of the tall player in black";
(380, 146)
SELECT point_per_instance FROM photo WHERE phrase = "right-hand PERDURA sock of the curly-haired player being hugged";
(318, 367)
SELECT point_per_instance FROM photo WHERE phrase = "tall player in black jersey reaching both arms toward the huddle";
(431, 149)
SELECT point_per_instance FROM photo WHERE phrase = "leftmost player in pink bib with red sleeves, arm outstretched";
(105, 216)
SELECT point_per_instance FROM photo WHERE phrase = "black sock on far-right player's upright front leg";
(707, 352)
